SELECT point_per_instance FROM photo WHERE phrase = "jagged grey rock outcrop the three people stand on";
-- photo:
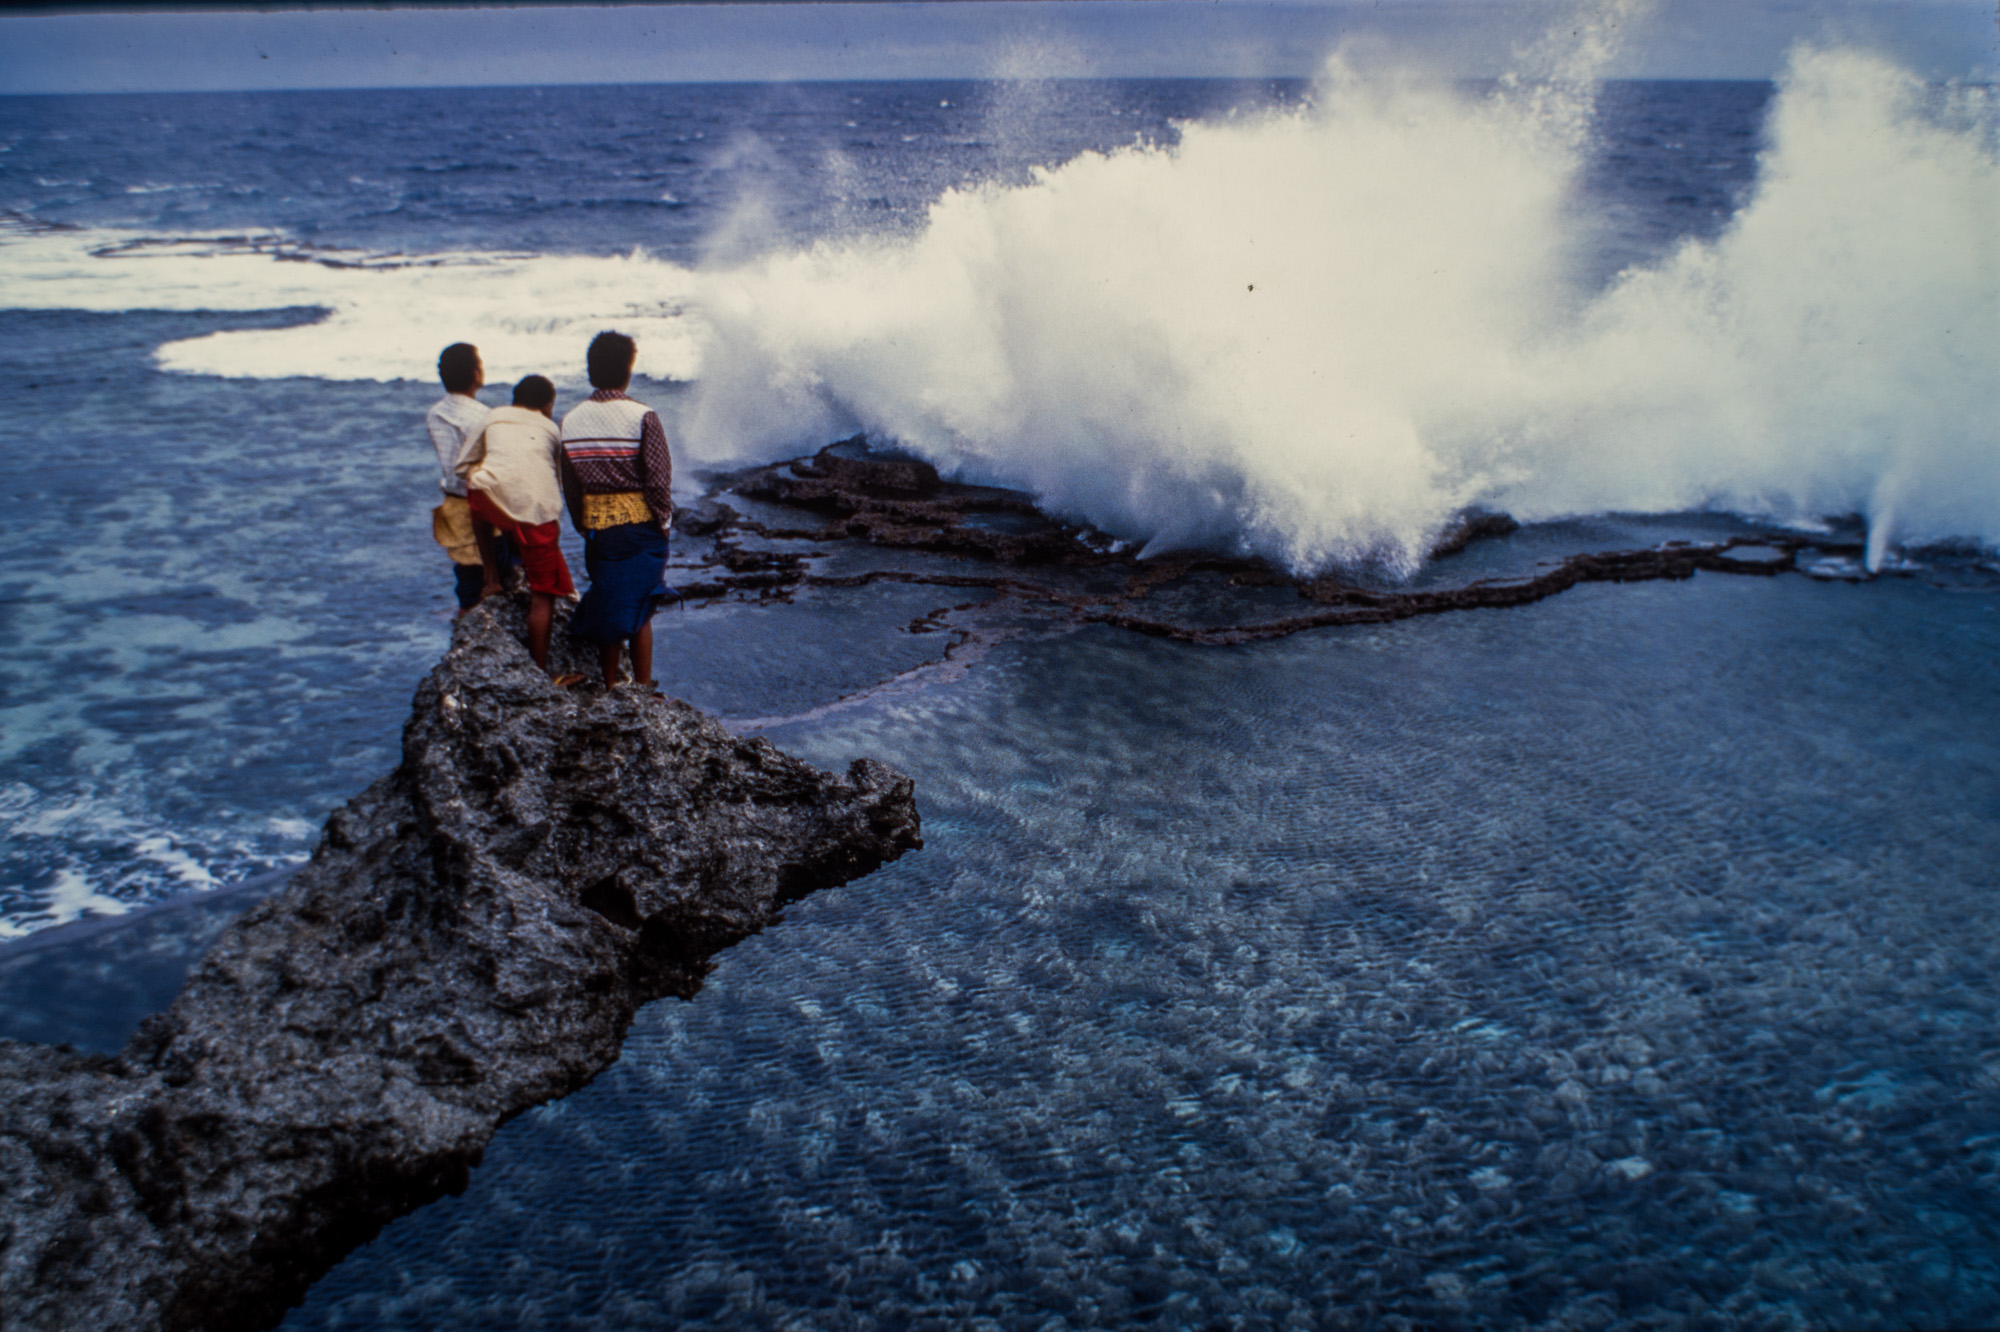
(471, 939)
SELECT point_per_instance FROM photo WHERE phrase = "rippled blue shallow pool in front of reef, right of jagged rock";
(1617, 961)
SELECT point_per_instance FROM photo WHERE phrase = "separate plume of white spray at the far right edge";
(1835, 351)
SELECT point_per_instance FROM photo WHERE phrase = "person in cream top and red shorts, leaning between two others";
(515, 491)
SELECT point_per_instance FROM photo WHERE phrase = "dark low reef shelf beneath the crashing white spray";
(855, 493)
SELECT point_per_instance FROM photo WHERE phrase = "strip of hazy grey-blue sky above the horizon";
(963, 39)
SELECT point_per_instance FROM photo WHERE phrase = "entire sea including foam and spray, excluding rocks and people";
(1623, 959)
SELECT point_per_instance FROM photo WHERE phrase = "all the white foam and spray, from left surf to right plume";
(1313, 337)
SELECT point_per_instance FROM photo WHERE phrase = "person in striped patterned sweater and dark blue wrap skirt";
(619, 477)
